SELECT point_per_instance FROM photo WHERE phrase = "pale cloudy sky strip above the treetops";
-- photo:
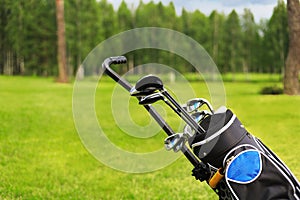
(260, 8)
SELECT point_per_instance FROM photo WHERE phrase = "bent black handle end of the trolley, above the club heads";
(115, 76)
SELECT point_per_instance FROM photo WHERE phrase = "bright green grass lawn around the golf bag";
(42, 157)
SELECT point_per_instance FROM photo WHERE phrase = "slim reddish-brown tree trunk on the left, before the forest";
(61, 43)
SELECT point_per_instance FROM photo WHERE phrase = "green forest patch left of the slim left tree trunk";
(30, 35)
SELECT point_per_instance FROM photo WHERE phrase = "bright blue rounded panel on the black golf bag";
(245, 167)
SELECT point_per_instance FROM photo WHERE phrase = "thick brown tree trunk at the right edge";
(292, 65)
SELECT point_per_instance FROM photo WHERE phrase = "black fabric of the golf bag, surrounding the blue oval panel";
(275, 181)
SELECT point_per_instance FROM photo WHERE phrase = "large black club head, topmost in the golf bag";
(147, 85)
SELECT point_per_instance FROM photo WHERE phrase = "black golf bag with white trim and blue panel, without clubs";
(240, 165)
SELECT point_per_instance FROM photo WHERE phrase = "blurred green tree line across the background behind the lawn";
(237, 43)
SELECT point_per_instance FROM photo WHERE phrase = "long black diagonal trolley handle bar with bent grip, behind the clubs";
(162, 123)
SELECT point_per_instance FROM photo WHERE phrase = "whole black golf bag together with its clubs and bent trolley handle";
(233, 162)
